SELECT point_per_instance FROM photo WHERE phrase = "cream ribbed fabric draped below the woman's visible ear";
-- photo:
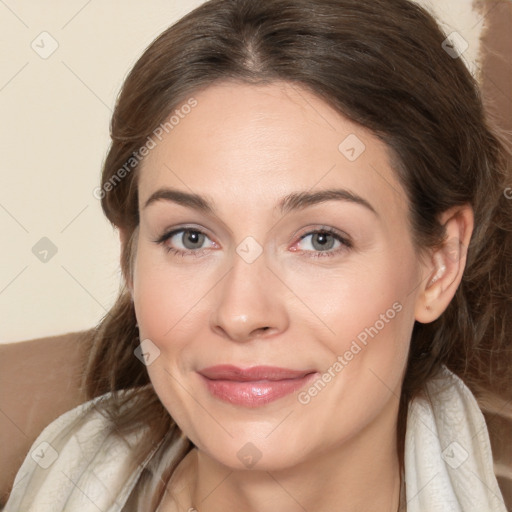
(448, 459)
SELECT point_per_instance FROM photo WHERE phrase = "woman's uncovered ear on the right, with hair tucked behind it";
(443, 273)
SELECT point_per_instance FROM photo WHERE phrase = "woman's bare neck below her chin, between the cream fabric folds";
(359, 474)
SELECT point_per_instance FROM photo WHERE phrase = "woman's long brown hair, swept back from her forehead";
(381, 64)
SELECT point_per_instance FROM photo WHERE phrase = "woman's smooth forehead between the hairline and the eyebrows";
(255, 143)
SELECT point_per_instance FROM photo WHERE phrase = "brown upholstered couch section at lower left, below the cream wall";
(39, 381)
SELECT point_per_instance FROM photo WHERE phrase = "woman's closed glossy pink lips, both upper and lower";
(253, 387)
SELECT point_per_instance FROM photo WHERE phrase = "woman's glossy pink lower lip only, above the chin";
(255, 393)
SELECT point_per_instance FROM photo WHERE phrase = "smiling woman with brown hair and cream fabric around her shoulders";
(315, 240)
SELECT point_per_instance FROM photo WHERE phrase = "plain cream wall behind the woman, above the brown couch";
(55, 110)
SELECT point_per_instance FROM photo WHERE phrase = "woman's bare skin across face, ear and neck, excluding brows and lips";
(245, 147)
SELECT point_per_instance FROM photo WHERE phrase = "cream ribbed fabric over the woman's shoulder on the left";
(76, 463)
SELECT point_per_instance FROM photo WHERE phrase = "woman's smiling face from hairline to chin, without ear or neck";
(255, 280)
